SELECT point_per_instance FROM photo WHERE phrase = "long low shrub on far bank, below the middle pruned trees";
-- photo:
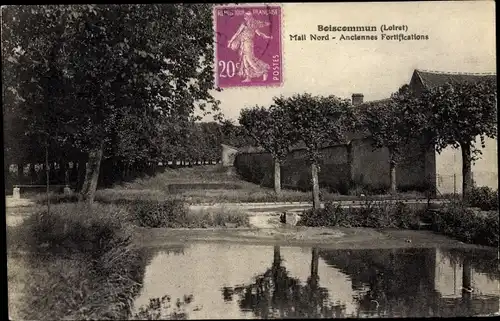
(370, 214)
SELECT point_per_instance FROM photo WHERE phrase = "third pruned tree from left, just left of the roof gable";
(392, 123)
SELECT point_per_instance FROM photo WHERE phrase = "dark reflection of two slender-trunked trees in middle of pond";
(276, 294)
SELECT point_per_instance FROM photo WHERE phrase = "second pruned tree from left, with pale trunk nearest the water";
(317, 121)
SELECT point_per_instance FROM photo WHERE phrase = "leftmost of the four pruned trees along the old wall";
(270, 128)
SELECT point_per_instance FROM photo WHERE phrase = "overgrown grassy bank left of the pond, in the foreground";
(78, 263)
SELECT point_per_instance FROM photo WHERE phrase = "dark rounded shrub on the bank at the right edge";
(467, 225)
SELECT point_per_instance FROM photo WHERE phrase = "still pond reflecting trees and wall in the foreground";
(242, 281)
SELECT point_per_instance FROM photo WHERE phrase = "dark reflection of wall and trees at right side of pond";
(401, 283)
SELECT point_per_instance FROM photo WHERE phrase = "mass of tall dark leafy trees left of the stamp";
(83, 83)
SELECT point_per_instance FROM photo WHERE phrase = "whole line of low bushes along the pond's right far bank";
(454, 219)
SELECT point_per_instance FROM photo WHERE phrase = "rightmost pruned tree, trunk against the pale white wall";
(461, 112)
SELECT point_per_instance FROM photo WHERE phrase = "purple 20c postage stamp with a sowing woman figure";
(248, 48)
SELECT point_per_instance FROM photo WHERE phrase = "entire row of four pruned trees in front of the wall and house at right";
(454, 114)
